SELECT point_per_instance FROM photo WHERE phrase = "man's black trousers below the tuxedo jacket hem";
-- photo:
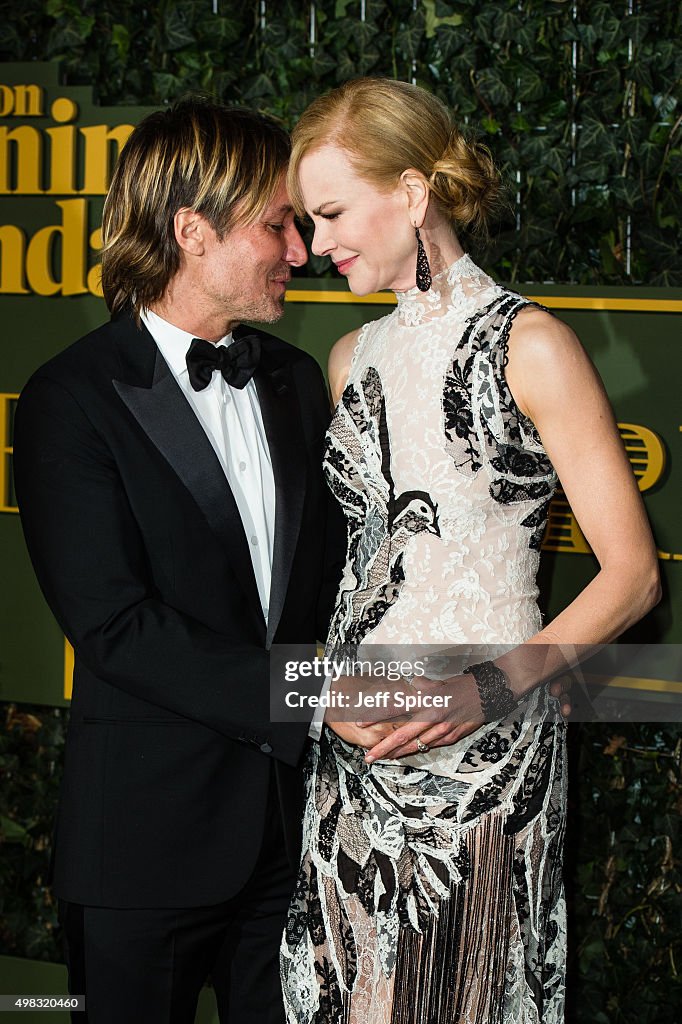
(148, 966)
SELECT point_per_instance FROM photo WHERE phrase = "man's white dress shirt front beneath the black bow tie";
(234, 424)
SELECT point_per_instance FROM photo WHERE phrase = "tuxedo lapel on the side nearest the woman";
(279, 406)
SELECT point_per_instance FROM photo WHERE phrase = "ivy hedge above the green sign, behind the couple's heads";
(579, 102)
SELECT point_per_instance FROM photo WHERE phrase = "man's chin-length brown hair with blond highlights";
(226, 163)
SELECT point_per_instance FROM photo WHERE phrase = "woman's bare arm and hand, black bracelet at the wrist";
(556, 385)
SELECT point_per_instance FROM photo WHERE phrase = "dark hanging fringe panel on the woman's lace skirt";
(455, 972)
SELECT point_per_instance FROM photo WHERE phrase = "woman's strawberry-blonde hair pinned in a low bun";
(387, 127)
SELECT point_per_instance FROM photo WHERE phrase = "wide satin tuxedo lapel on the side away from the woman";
(168, 420)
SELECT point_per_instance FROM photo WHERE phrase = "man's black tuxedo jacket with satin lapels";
(140, 549)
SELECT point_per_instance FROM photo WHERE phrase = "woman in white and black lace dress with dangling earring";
(431, 886)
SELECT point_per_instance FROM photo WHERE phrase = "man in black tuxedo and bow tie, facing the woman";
(168, 473)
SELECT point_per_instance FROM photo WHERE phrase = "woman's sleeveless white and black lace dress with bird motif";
(431, 887)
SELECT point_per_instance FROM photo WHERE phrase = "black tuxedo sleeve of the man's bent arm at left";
(91, 561)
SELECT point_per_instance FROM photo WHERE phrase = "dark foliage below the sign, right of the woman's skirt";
(626, 876)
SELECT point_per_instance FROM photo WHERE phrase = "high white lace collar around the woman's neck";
(452, 291)
